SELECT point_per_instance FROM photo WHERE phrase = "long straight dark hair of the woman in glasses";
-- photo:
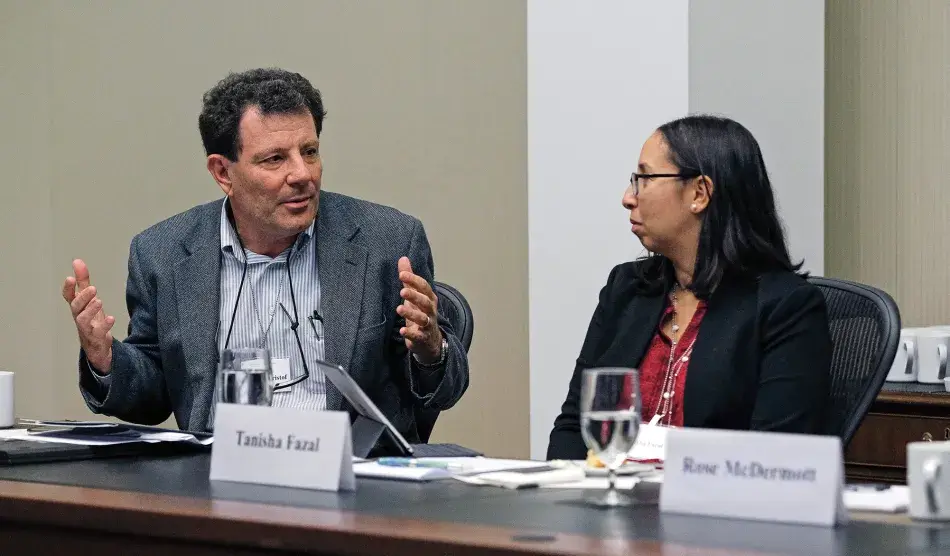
(741, 235)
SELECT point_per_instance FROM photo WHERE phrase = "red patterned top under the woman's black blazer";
(654, 366)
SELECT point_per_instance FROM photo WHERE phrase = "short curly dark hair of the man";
(271, 90)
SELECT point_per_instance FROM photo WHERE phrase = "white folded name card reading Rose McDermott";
(792, 478)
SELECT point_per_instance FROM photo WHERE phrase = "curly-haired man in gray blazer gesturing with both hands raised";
(277, 264)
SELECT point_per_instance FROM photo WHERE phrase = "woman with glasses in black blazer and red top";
(725, 331)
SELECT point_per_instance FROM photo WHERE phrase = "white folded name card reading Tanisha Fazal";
(282, 446)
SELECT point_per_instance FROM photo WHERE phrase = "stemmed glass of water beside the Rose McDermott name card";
(610, 422)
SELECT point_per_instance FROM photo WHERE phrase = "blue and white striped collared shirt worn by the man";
(260, 321)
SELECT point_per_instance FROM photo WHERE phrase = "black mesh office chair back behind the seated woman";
(865, 328)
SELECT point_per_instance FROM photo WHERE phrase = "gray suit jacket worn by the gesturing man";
(168, 362)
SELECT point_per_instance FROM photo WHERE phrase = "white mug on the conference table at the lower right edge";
(928, 479)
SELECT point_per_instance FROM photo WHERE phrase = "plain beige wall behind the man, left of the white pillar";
(427, 113)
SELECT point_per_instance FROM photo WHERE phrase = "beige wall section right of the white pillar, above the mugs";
(887, 187)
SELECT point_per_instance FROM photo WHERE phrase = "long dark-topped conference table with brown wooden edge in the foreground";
(167, 505)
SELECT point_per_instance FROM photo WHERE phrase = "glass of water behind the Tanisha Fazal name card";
(245, 377)
